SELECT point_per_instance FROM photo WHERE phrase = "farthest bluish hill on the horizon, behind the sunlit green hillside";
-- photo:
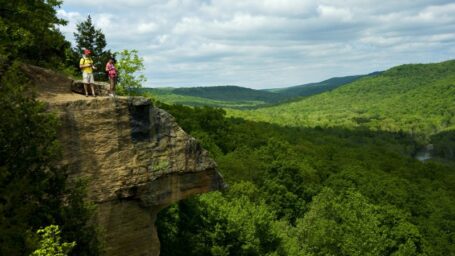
(316, 88)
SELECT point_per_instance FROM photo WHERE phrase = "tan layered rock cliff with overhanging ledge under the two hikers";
(135, 157)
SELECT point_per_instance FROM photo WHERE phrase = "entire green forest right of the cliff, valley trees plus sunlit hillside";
(331, 174)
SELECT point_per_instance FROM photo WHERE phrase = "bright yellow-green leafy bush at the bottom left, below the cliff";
(50, 243)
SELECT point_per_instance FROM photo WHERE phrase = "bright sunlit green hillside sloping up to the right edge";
(416, 98)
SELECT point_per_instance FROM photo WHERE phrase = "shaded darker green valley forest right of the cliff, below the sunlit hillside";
(311, 191)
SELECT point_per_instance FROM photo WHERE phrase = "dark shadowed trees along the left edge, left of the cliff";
(37, 206)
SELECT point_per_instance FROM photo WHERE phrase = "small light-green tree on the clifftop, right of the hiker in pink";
(128, 65)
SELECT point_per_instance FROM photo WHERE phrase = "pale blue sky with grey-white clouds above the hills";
(268, 43)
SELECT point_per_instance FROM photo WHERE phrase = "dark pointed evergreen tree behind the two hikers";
(89, 37)
